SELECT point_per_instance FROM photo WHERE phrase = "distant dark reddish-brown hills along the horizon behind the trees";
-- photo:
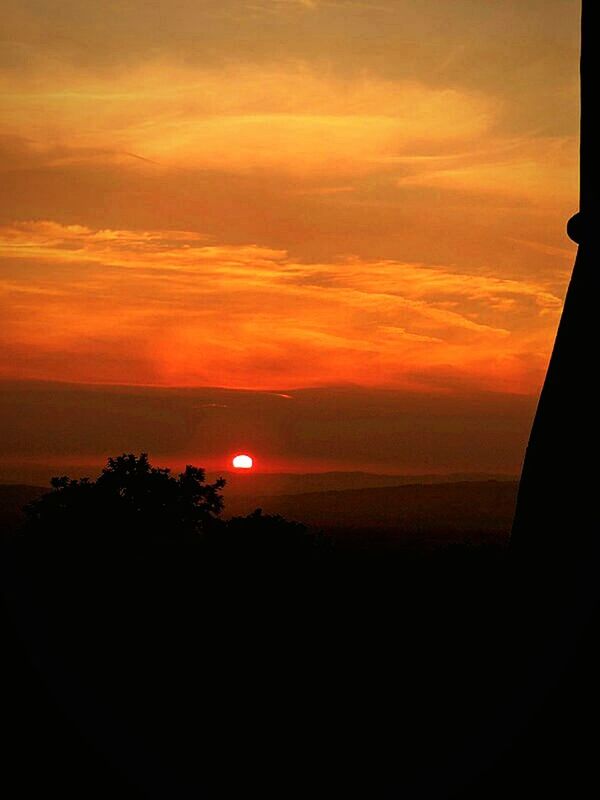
(439, 509)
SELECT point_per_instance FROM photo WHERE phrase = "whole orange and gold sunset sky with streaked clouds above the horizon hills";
(285, 199)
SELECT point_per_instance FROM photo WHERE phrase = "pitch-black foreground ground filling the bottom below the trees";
(256, 658)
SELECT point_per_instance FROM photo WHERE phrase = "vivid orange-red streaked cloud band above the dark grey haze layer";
(173, 307)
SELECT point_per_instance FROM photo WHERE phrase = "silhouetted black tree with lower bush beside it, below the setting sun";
(131, 498)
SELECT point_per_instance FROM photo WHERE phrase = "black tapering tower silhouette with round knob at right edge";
(556, 523)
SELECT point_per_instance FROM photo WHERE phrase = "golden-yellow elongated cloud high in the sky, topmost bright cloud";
(283, 117)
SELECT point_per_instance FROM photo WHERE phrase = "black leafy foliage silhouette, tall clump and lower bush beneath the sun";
(132, 501)
